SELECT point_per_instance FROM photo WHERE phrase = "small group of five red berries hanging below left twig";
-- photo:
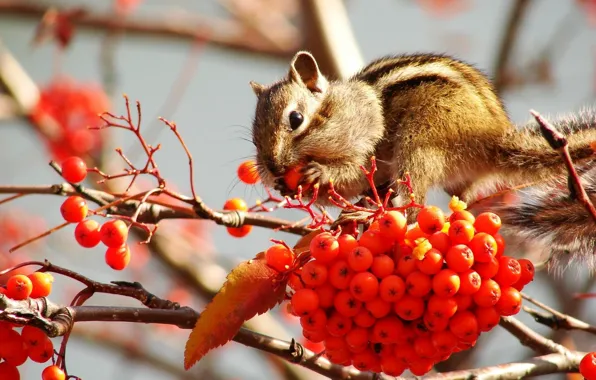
(88, 232)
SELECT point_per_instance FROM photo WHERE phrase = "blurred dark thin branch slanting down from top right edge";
(507, 43)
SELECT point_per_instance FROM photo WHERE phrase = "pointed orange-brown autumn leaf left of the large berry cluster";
(251, 288)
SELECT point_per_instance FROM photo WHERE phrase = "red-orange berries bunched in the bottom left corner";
(30, 342)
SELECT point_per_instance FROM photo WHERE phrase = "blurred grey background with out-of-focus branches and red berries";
(191, 61)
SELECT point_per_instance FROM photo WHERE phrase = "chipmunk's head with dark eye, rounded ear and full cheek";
(304, 118)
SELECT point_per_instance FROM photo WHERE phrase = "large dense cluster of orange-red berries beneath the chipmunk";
(396, 298)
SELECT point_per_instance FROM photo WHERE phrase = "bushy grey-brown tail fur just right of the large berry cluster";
(546, 219)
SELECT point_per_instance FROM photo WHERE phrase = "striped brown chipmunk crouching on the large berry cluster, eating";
(432, 116)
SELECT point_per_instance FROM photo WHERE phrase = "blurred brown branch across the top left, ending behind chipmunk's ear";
(228, 34)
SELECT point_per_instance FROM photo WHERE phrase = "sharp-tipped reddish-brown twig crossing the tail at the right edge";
(559, 143)
